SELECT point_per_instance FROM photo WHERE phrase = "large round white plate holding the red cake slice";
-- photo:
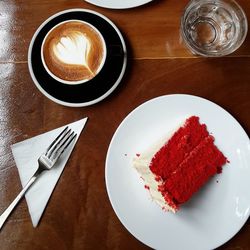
(215, 214)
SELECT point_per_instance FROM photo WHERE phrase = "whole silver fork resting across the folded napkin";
(45, 162)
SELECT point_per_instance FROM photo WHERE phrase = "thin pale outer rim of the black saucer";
(94, 101)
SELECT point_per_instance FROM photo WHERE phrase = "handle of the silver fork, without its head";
(13, 204)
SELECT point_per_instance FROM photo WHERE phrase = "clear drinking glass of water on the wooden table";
(213, 27)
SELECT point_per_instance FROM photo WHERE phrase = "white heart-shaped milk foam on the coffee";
(73, 49)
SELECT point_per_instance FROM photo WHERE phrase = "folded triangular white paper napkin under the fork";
(26, 154)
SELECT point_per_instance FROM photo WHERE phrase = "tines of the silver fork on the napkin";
(58, 146)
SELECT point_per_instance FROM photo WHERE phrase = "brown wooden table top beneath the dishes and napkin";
(158, 64)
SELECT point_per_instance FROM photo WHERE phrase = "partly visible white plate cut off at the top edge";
(118, 4)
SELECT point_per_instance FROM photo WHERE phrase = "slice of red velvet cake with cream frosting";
(177, 168)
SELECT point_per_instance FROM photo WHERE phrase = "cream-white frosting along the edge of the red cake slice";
(142, 162)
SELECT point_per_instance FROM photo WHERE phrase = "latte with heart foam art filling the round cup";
(73, 52)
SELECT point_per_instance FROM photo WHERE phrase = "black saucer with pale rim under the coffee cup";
(95, 90)
